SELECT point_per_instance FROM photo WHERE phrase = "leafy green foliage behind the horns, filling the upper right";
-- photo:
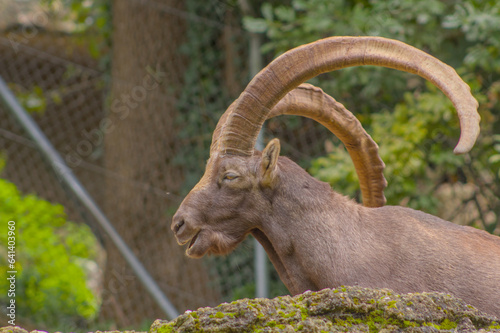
(414, 124)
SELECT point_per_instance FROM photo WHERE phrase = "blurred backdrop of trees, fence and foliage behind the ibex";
(129, 92)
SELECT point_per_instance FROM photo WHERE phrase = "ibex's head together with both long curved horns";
(239, 189)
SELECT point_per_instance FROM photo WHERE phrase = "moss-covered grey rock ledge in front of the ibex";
(347, 309)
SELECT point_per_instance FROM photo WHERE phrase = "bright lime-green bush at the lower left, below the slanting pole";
(50, 254)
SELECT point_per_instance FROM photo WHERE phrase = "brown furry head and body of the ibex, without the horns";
(317, 238)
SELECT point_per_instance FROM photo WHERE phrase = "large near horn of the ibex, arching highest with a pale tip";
(244, 118)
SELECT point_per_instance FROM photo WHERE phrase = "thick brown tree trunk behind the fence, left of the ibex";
(139, 147)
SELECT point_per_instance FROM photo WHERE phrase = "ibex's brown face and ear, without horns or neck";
(227, 203)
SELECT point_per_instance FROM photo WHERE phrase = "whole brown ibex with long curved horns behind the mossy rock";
(315, 237)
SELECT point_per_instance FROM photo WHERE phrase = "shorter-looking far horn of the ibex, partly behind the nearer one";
(309, 101)
